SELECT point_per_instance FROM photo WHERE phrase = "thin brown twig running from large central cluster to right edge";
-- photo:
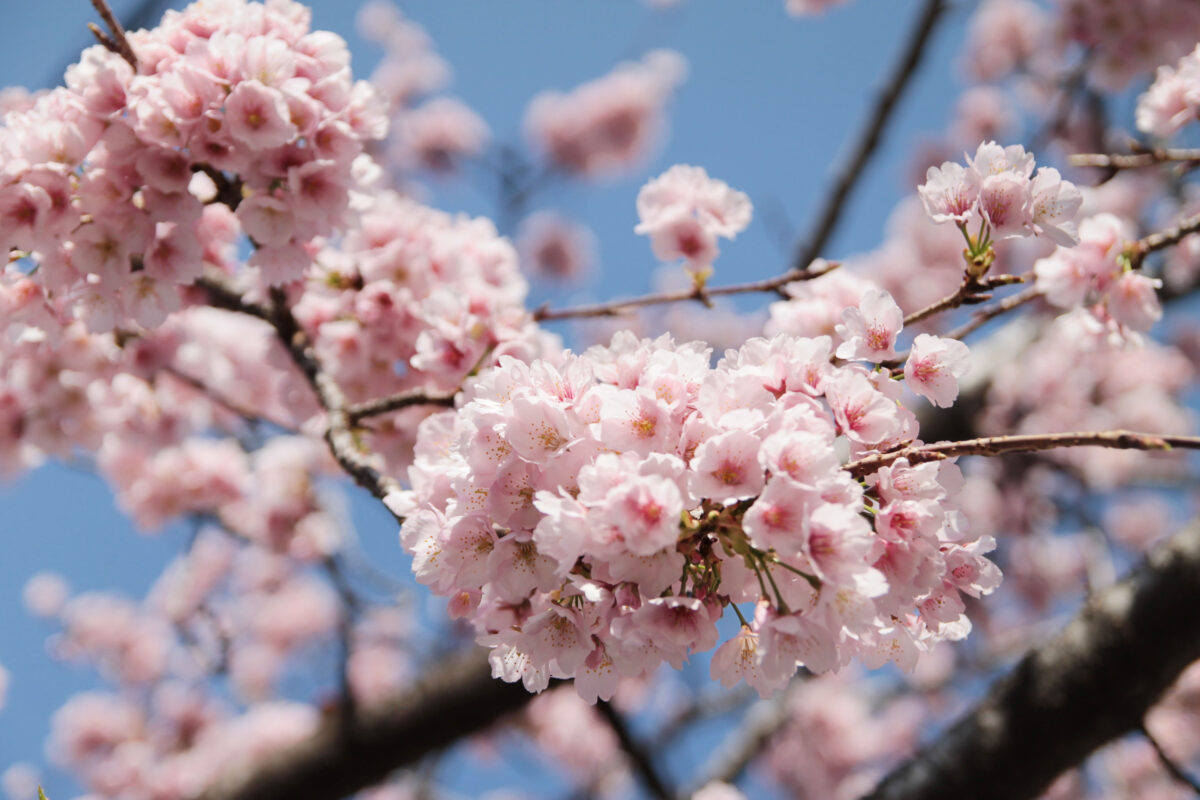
(1025, 443)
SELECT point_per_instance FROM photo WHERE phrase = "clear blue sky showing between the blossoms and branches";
(770, 105)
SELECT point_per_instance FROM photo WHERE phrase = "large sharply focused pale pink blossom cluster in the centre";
(593, 519)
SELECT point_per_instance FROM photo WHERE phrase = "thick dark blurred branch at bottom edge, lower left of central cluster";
(457, 700)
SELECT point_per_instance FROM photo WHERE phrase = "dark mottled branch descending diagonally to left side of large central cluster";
(340, 434)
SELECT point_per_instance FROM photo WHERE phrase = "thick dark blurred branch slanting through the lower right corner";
(1088, 687)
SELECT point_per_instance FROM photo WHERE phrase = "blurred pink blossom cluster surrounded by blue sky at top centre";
(609, 124)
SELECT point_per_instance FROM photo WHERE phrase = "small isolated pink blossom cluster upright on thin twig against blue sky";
(685, 212)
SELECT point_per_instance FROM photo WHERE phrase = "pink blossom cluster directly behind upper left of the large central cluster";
(415, 299)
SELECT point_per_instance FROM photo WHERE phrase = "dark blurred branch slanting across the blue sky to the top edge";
(869, 140)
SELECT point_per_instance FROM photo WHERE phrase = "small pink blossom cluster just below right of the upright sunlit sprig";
(1094, 275)
